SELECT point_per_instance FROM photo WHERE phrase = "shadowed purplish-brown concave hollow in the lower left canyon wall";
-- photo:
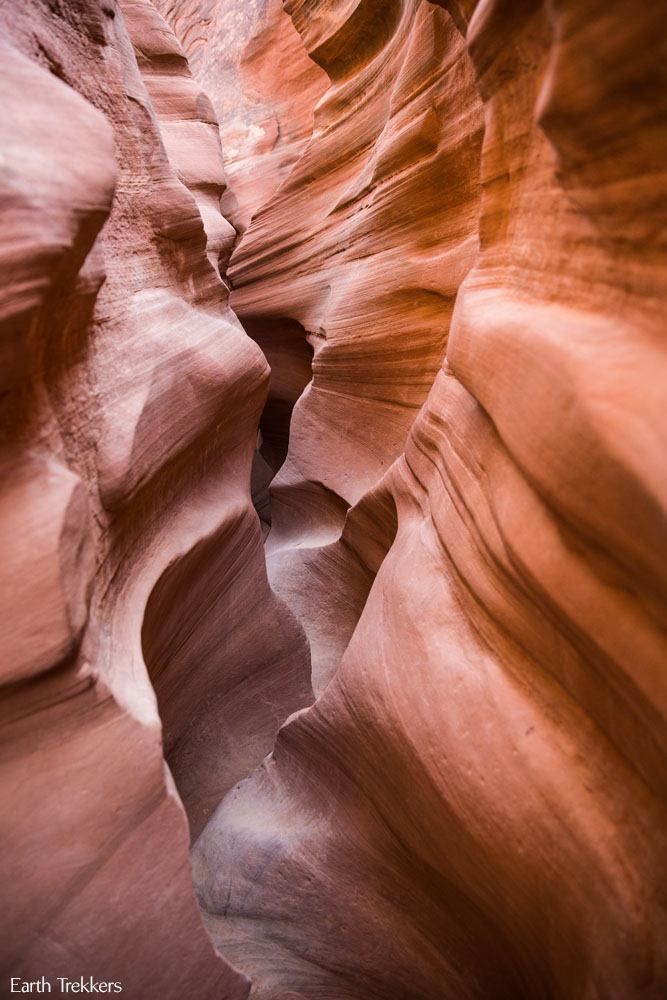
(227, 661)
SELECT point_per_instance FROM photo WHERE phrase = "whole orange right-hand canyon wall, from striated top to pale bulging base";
(475, 805)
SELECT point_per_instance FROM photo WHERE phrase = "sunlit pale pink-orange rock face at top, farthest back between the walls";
(251, 61)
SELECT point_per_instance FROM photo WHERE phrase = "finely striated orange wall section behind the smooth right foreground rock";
(357, 237)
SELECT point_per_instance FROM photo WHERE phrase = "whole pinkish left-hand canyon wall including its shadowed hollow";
(131, 396)
